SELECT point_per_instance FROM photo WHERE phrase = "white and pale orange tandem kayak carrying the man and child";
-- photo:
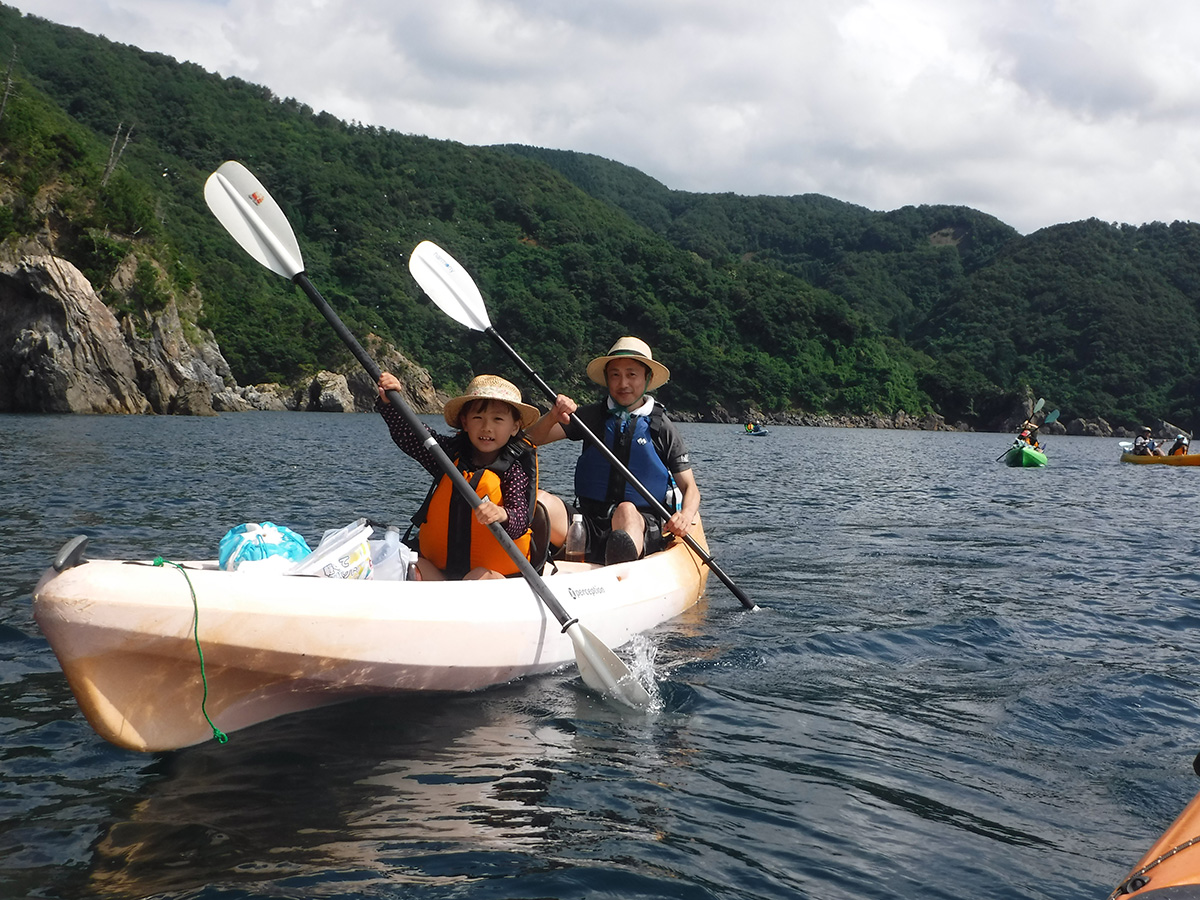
(265, 644)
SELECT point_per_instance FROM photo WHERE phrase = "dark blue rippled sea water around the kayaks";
(967, 682)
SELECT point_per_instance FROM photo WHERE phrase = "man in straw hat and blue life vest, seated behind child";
(621, 525)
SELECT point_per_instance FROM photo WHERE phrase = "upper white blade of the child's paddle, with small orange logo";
(254, 219)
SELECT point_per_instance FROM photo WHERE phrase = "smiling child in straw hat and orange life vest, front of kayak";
(491, 451)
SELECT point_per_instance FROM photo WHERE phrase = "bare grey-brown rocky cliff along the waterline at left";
(64, 351)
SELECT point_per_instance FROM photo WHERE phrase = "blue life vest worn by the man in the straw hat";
(632, 441)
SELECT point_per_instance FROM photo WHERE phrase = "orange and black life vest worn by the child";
(454, 541)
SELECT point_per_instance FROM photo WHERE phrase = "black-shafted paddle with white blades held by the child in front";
(257, 223)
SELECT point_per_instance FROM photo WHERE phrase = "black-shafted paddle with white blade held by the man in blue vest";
(458, 296)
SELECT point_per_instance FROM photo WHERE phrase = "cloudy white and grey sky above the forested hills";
(1035, 111)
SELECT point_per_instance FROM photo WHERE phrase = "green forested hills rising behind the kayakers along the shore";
(788, 304)
